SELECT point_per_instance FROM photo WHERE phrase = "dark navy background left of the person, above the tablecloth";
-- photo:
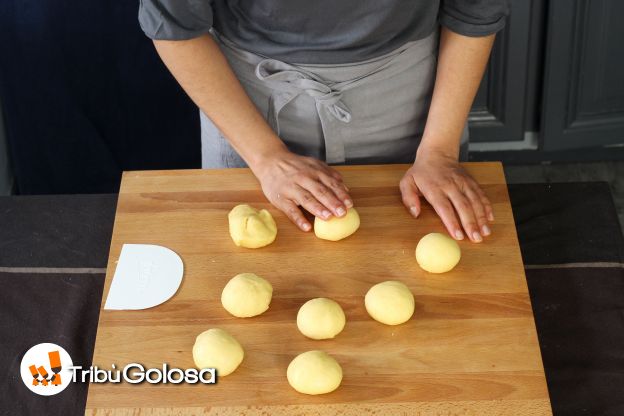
(85, 96)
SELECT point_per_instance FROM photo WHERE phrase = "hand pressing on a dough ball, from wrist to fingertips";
(290, 181)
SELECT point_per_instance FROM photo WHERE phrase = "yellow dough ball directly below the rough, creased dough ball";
(246, 295)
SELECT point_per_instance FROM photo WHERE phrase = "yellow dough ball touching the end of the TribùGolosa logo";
(216, 348)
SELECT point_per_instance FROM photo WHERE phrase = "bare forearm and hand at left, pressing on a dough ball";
(289, 181)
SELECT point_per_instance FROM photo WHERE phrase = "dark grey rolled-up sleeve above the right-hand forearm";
(474, 17)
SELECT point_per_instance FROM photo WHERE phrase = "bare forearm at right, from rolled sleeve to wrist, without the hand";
(461, 63)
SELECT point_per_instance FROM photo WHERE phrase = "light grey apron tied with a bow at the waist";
(362, 113)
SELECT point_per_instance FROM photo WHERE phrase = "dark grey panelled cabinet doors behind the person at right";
(555, 82)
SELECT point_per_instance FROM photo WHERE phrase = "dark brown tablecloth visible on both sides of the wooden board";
(54, 250)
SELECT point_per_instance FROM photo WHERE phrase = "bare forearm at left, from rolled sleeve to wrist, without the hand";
(203, 71)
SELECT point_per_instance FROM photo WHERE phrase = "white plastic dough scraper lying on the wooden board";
(146, 275)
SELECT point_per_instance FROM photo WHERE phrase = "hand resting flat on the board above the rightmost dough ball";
(451, 191)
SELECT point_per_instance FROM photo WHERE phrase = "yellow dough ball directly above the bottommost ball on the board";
(320, 318)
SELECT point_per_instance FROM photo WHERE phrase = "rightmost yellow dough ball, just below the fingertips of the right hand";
(437, 253)
